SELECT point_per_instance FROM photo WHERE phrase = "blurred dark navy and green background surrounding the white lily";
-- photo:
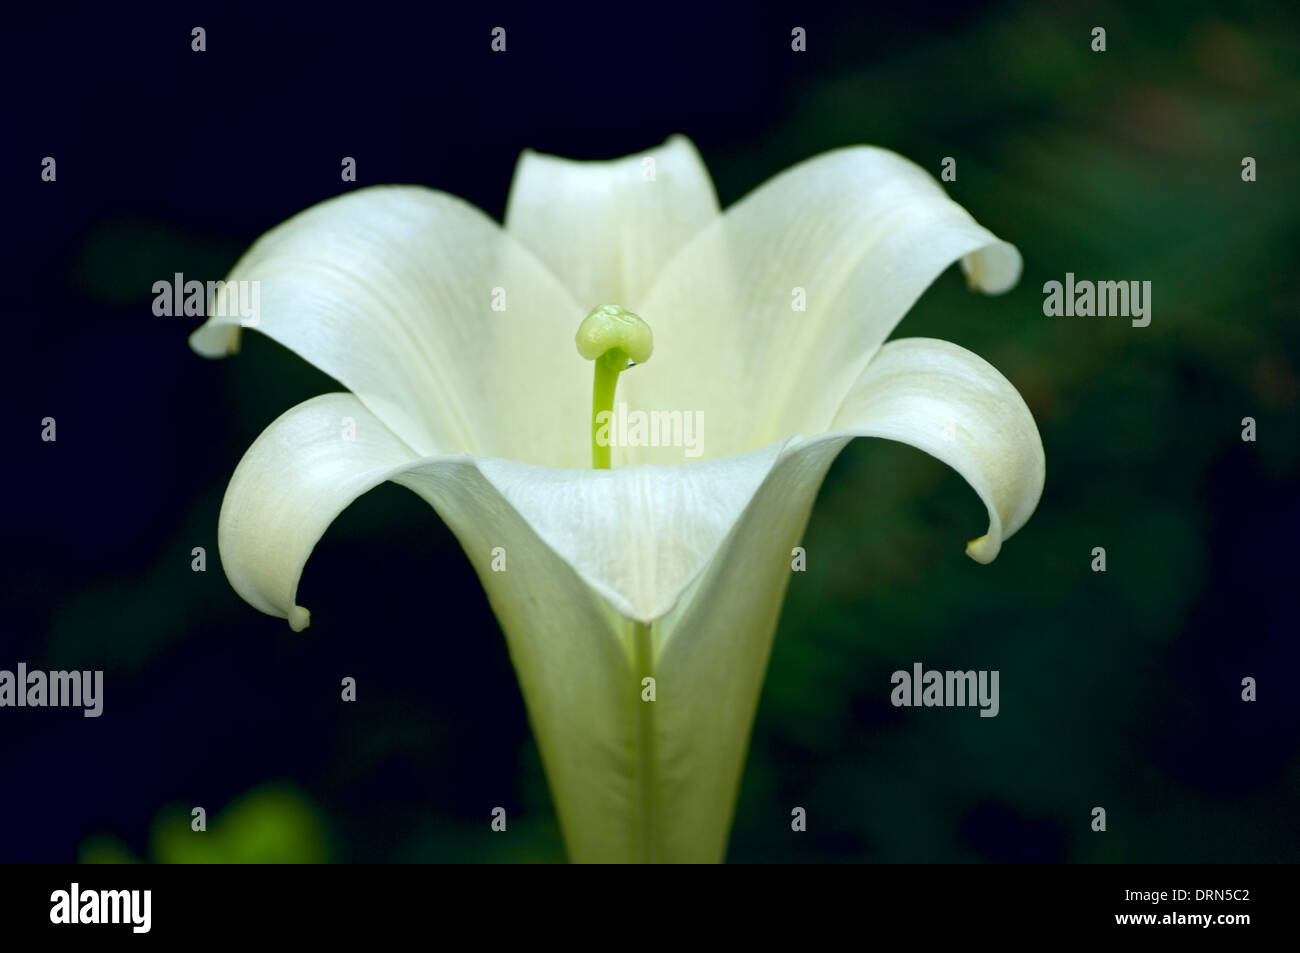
(1119, 690)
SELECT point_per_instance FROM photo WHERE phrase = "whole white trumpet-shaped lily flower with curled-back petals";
(661, 566)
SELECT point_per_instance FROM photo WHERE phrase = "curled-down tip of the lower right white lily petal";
(941, 398)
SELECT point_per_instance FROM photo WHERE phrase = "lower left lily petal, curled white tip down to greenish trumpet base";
(567, 647)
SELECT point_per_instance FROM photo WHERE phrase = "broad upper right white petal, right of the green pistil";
(853, 237)
